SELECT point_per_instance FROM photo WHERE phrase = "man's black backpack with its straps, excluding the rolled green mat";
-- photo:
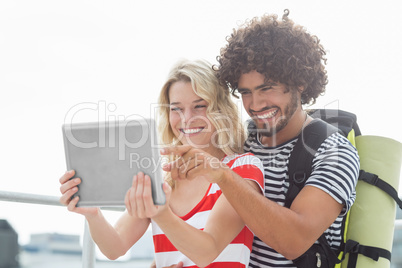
(325, 123)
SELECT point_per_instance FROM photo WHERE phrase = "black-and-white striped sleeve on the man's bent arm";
(336, 170)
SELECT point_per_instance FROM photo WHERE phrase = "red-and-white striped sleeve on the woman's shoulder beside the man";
(249, 167)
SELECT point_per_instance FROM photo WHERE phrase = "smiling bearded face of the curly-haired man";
(270, 104)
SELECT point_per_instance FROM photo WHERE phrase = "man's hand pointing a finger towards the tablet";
(194, 163)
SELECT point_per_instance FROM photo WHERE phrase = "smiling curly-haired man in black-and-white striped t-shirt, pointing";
(276, 67)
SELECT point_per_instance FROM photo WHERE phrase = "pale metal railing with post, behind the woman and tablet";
(88, 249)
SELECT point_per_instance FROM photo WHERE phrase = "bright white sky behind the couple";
(56, 54)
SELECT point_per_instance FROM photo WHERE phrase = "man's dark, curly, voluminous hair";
(280, 50)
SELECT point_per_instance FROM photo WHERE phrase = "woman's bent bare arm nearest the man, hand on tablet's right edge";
(223, 225)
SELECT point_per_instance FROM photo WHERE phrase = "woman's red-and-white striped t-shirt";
(237, 253)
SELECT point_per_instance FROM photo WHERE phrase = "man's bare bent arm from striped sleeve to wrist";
(289, 231)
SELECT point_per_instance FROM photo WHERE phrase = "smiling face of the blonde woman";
(188, 116)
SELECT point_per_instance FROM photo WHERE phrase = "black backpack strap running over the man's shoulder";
(300, 160)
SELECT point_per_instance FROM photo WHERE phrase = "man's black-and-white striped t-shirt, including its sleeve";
(335, 170)
